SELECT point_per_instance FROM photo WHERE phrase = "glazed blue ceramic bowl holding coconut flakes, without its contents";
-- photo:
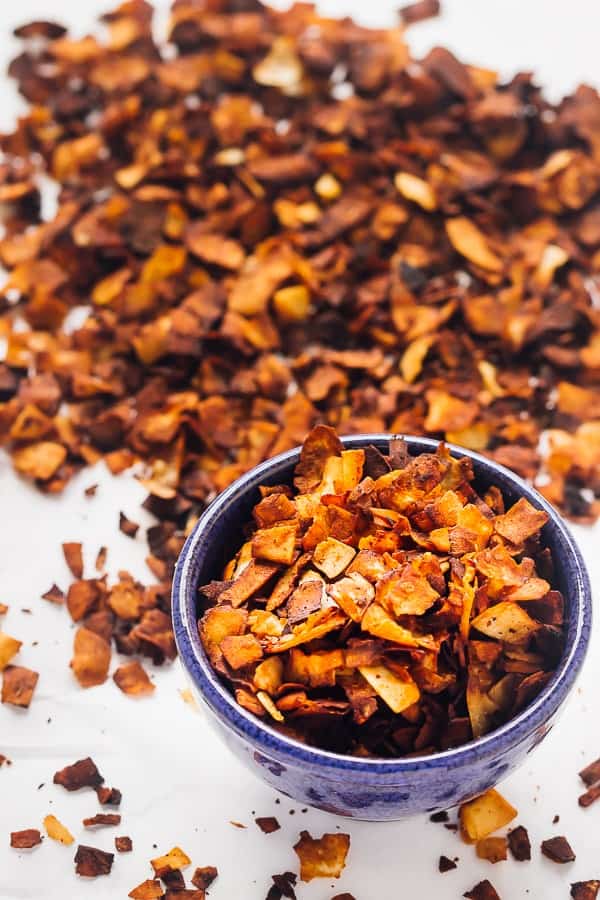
(371, 789)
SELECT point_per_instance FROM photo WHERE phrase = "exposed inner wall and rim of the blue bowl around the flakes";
(220, 532)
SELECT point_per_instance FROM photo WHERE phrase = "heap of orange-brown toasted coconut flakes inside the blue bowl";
(383, 606)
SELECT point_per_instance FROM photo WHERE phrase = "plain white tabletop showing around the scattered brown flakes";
(180, 786)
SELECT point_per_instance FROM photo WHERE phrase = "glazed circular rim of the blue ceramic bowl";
(263, 736)
